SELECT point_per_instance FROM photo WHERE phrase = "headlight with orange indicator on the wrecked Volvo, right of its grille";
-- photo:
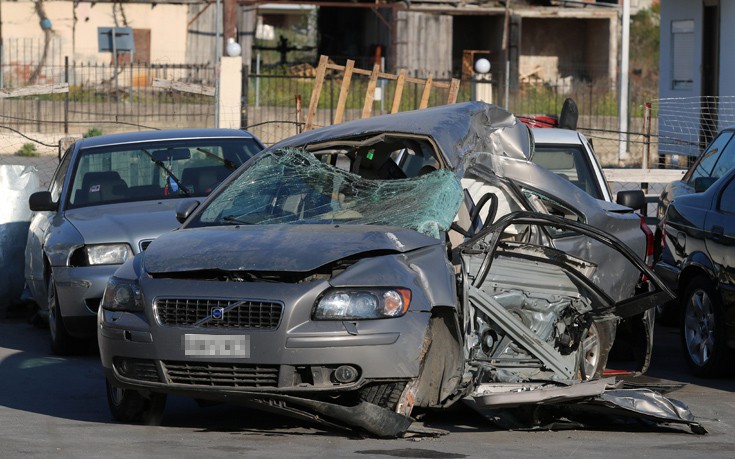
(359, 303)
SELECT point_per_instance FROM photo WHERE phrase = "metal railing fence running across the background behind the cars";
(105, 99)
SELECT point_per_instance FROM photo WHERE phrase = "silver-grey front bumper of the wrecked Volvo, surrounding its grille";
(296, 356)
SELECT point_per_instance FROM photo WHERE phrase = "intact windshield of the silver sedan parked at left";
(155, 170)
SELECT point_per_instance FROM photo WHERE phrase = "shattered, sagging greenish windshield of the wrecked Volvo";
(294, 186)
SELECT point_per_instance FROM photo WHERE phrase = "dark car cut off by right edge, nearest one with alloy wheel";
(698, 262)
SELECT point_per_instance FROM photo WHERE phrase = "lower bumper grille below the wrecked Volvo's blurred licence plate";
(221, 374)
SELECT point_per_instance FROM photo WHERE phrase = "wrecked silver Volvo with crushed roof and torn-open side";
(350, 274)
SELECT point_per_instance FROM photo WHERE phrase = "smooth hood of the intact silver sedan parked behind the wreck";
(131, 221)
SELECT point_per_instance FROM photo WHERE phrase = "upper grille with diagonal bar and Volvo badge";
(213, 313)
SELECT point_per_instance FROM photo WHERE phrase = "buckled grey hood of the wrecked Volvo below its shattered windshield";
(292, 248)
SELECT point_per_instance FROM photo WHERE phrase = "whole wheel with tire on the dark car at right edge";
(703, 328)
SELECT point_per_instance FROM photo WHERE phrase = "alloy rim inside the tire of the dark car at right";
(699, 327)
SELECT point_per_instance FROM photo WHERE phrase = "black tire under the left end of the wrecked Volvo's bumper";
(128, 405)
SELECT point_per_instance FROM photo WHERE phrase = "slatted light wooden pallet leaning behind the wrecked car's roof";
(349, 69)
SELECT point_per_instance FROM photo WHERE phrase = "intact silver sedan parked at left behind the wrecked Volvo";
(108, 199)
